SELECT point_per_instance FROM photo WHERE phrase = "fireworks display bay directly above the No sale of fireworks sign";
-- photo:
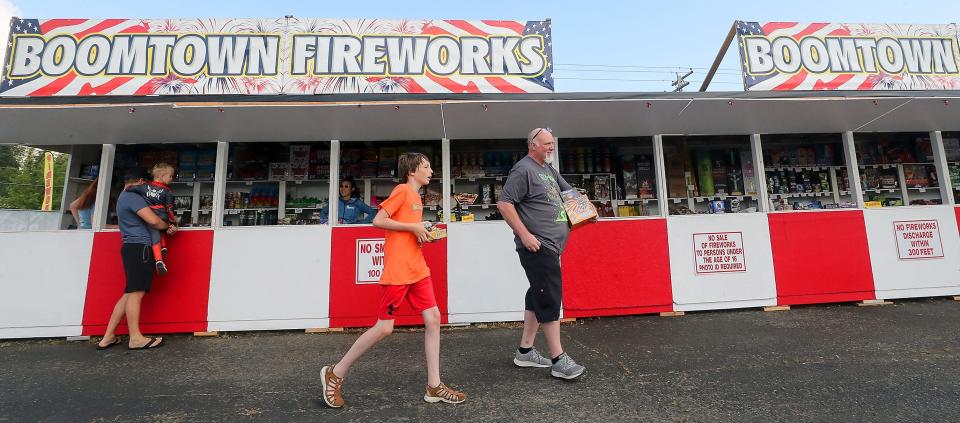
(710, 175)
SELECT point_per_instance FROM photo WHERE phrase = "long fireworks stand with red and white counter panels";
(707, 200)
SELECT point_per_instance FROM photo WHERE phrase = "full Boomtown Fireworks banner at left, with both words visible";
(85, 57)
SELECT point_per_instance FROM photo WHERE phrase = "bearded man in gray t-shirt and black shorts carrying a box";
(530, 203)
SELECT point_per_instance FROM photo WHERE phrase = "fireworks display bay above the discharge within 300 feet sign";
(897, 169)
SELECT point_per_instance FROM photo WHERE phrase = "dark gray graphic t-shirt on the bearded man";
(535, 191)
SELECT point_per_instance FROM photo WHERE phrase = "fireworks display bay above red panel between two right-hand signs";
(806, 172)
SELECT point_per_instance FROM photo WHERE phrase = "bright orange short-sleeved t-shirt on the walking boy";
(403, 261)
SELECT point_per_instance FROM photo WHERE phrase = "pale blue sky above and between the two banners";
(599, 45)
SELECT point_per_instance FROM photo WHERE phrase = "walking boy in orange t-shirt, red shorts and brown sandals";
(405, 276)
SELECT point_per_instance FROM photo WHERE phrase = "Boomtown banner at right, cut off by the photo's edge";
(822, 56)
